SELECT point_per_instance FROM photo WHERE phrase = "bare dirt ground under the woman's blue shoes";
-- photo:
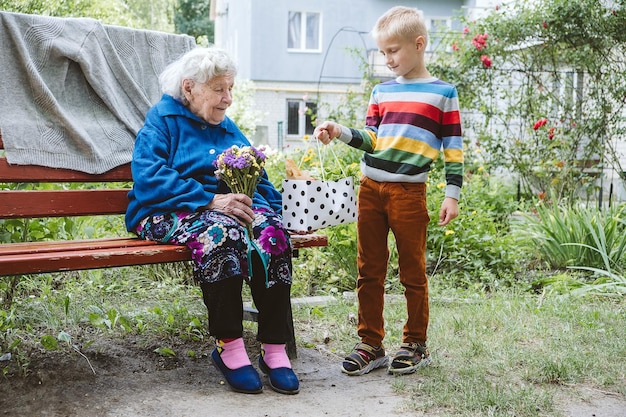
(133, 381)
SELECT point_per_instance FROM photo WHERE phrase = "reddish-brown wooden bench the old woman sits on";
(56, 256)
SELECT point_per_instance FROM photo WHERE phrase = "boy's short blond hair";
(403, 22)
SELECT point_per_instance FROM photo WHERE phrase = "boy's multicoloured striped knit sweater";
(409, 122)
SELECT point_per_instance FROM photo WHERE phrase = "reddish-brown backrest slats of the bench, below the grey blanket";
(59, 203)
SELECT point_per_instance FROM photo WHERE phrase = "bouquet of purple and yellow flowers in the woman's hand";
(241, 169)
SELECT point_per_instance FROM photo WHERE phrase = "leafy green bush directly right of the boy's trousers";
(477, 249)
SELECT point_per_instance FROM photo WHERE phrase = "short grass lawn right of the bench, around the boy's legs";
(502, 354)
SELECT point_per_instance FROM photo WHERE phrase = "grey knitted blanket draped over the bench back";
(74, 92)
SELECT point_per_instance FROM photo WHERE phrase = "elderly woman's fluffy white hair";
(200, 65)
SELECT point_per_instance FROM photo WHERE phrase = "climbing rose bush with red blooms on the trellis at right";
(542, 85)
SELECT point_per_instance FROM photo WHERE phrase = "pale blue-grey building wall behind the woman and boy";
(241, 23)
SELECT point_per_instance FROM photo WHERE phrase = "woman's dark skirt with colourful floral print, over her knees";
(219, 244)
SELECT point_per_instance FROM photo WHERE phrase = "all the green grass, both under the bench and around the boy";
(507, 353)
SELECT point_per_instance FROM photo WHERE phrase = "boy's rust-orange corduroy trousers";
(401, 208)
